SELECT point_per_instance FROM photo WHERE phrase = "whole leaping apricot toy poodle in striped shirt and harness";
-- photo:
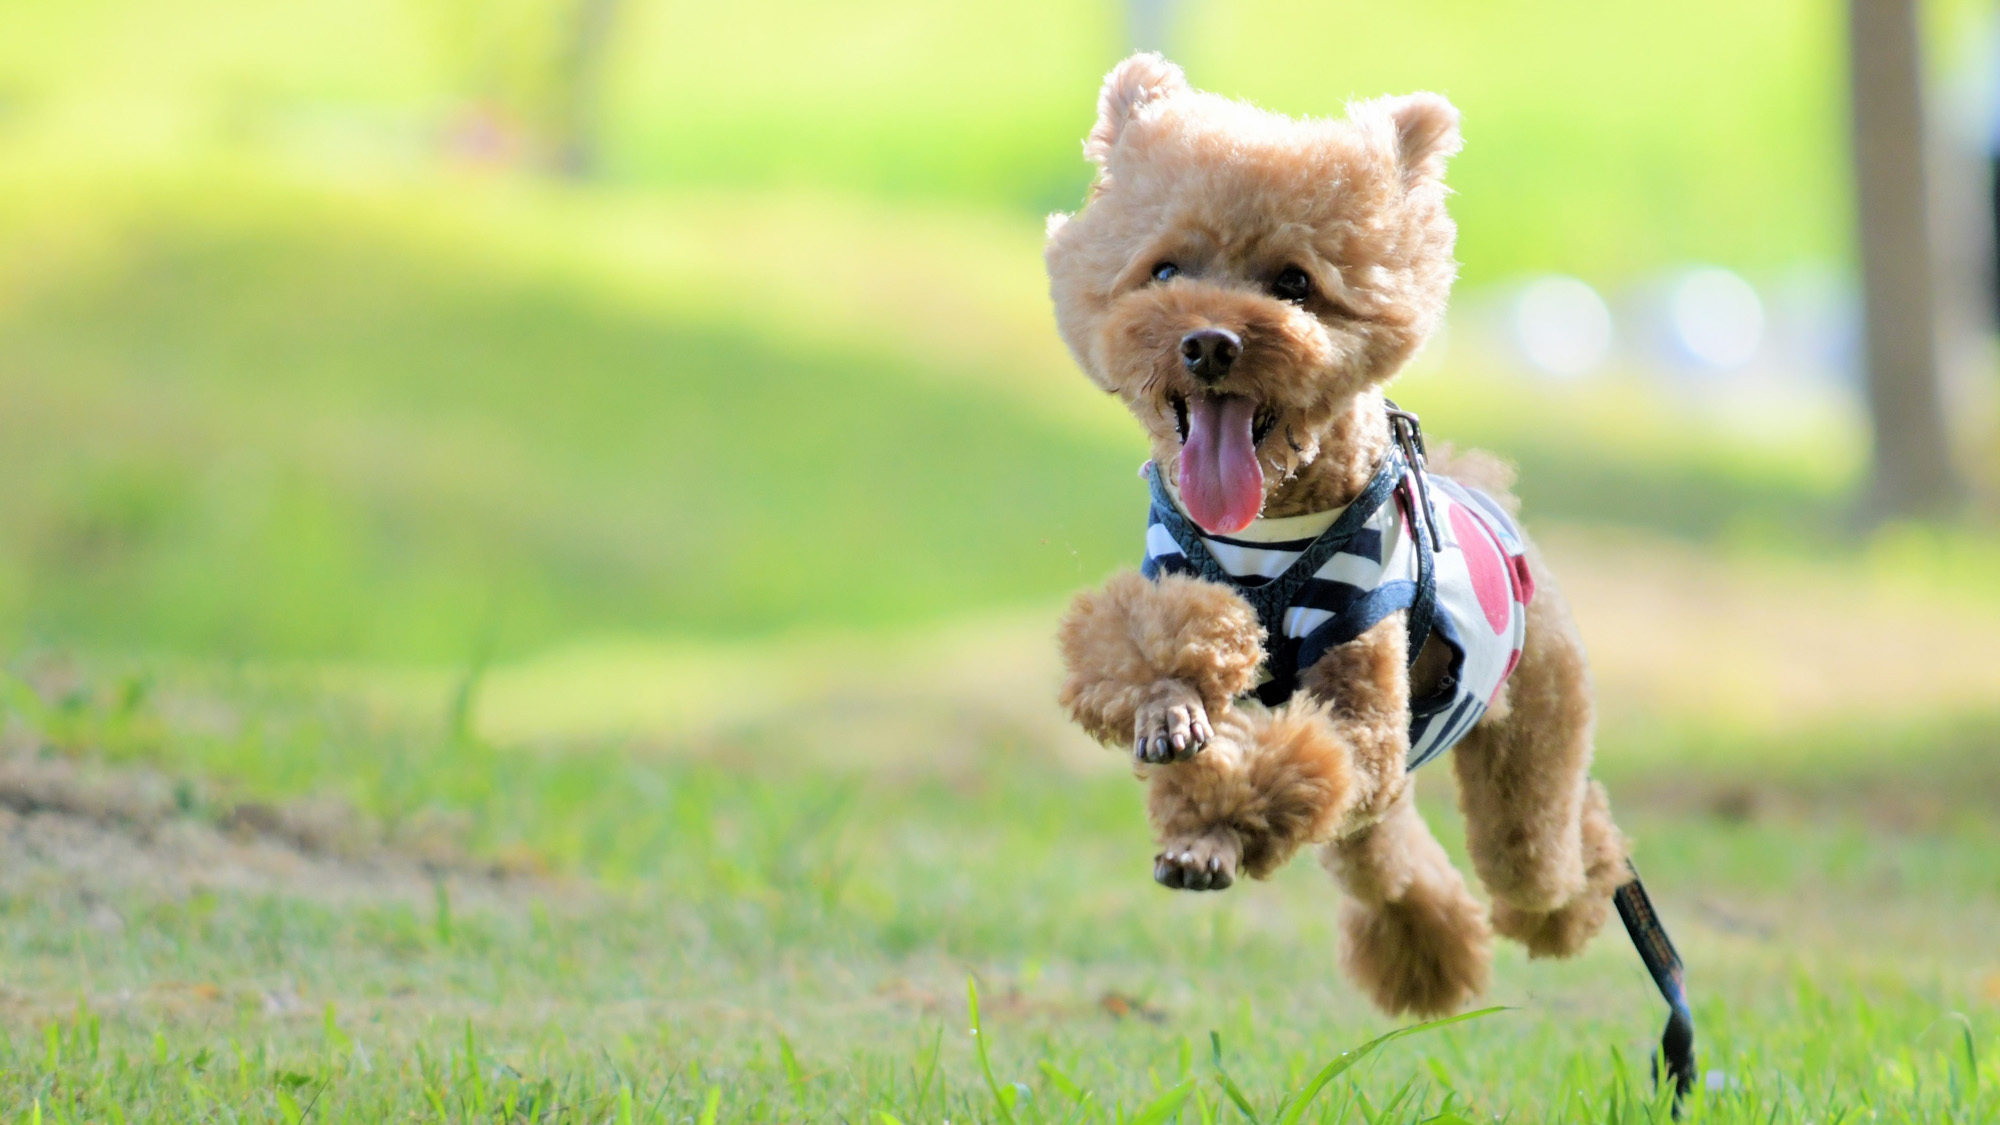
(1319, 612)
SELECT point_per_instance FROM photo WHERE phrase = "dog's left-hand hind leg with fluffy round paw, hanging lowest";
(1415, 938)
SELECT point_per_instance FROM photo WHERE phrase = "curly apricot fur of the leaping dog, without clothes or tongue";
(1231, 195)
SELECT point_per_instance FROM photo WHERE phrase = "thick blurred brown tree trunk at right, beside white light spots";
(1913, 459)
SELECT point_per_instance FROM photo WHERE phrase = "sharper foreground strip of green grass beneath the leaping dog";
(795, 942)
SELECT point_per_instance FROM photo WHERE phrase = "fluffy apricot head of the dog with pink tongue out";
(1239, 277)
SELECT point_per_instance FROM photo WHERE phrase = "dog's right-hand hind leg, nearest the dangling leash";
(1539, 830)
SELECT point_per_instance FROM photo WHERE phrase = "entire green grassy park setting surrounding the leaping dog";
(613, 461)
